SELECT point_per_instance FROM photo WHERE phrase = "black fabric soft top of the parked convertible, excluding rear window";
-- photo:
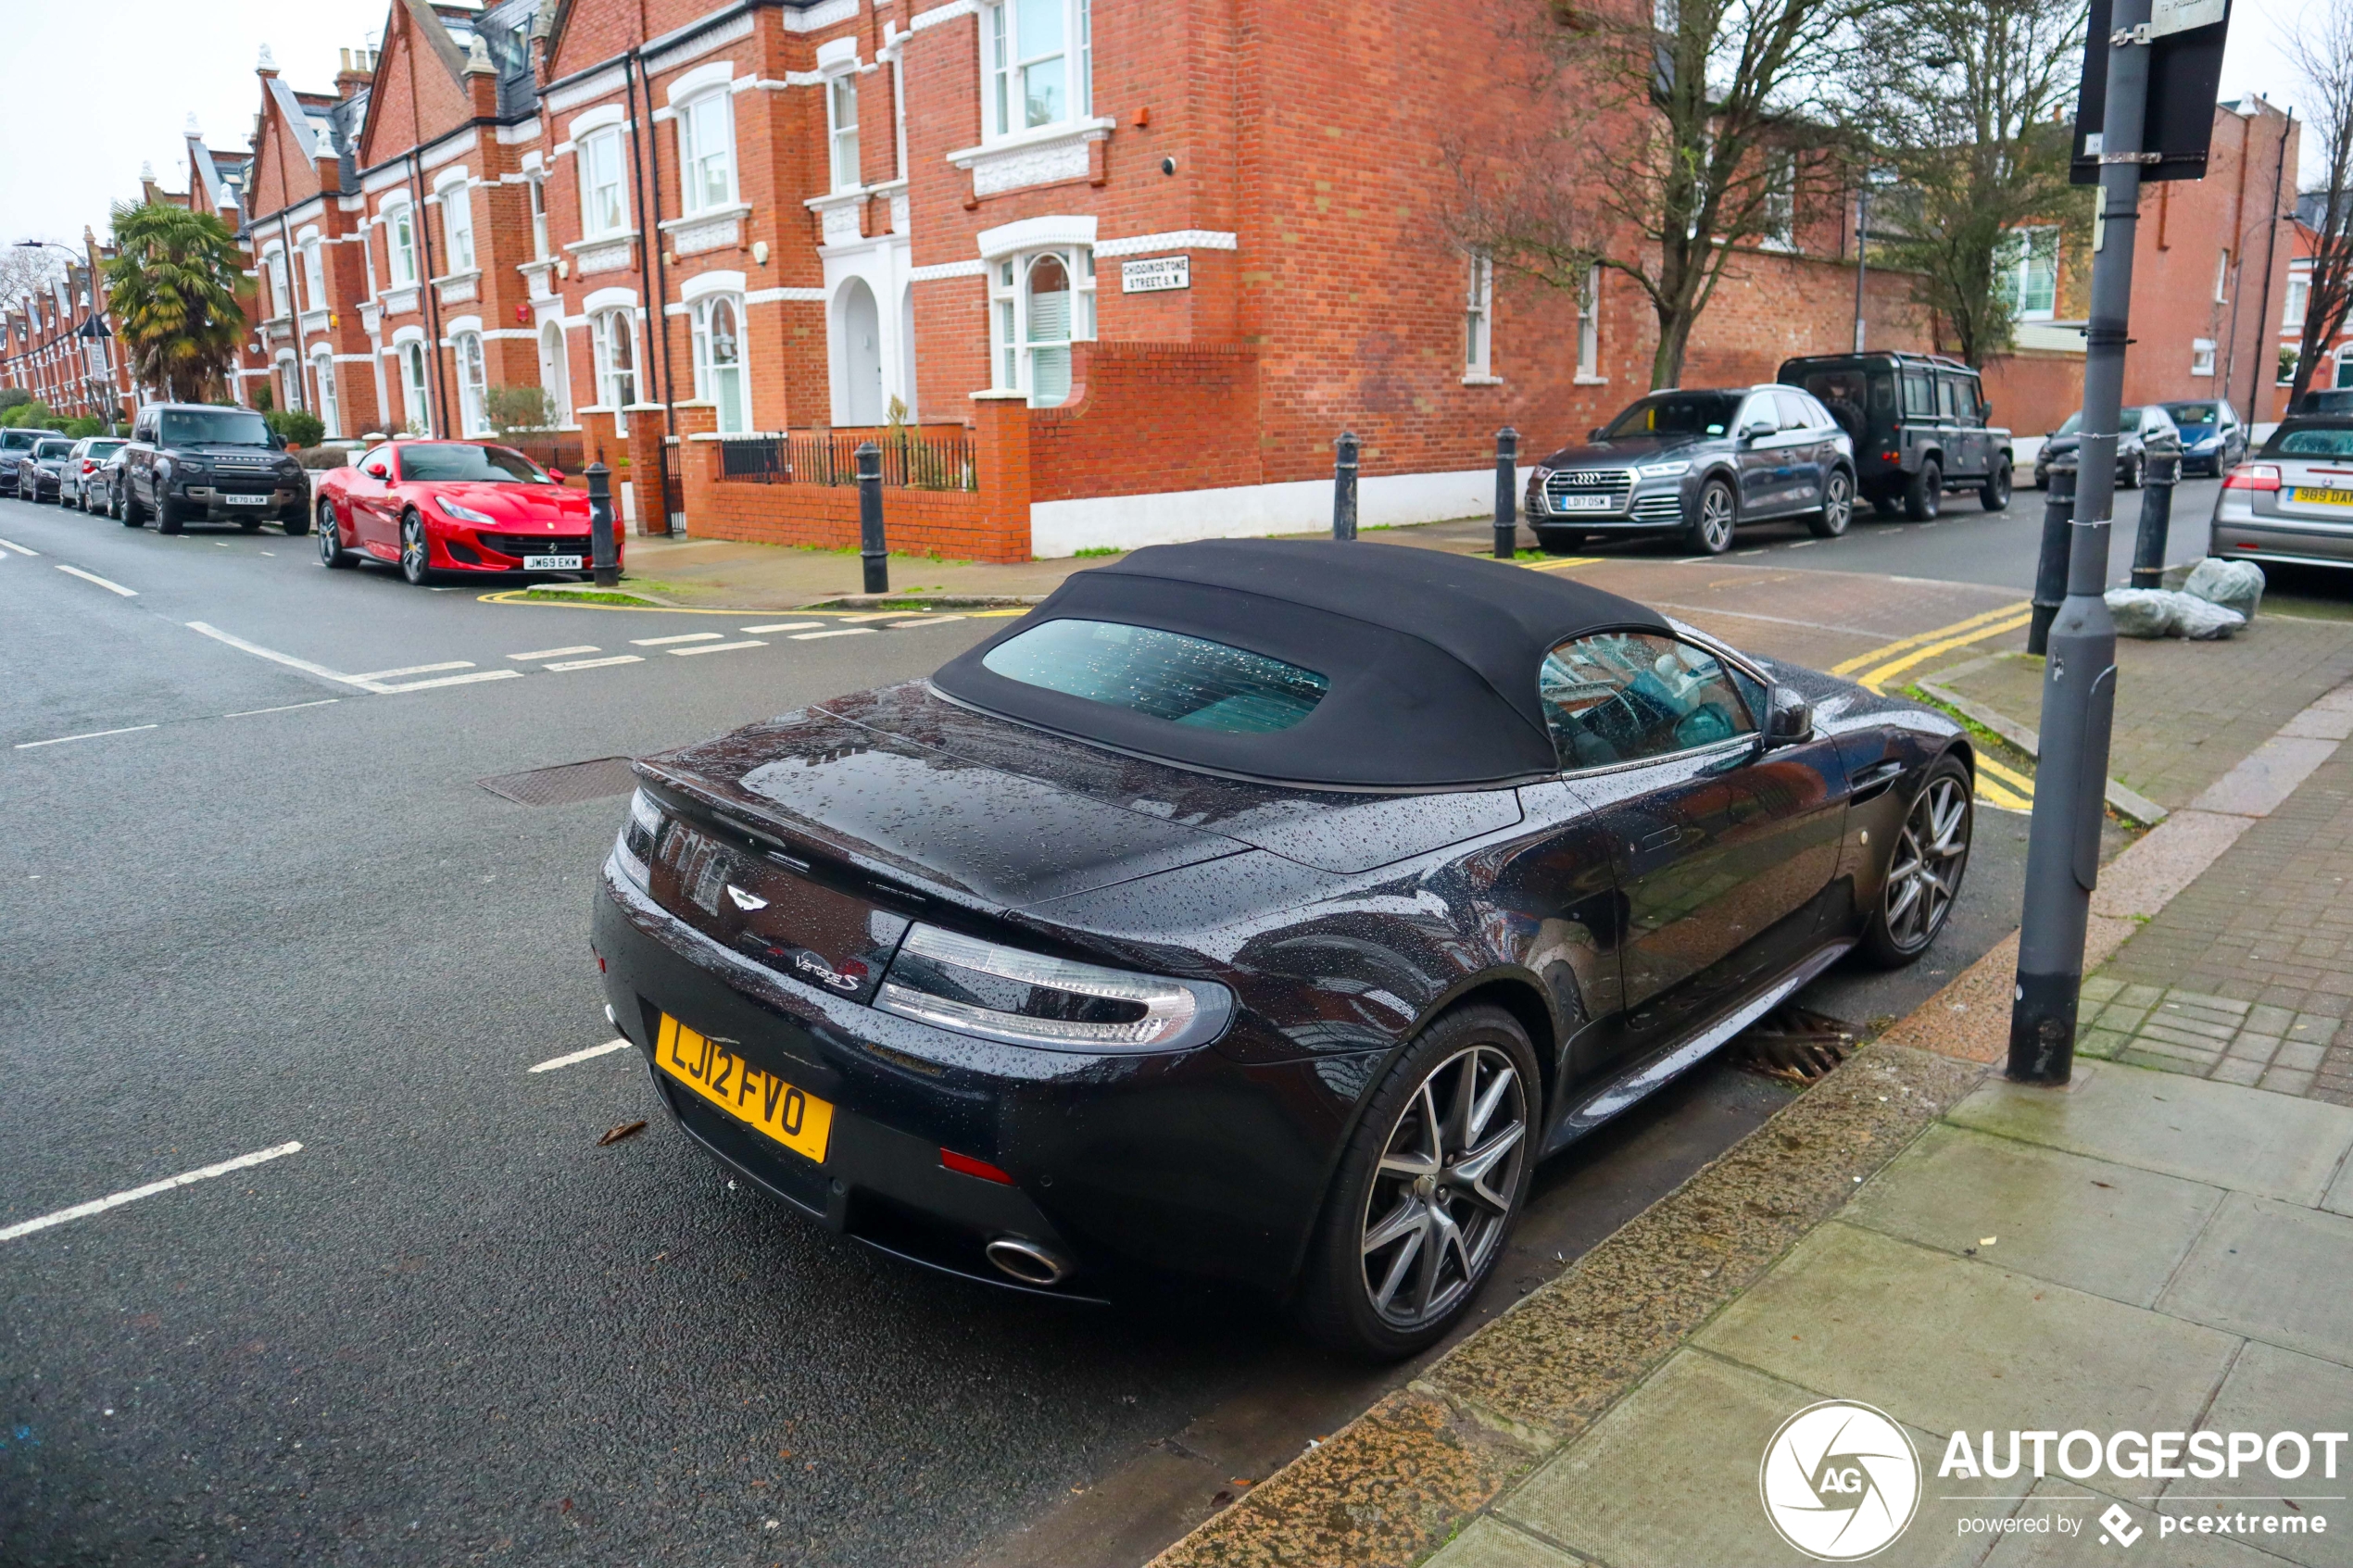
(1432, 659)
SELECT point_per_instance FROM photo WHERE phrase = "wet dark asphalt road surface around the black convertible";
(455, 1329)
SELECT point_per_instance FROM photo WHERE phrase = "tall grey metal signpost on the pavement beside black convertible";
(2079, 674)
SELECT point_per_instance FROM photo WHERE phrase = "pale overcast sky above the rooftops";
(100, 86)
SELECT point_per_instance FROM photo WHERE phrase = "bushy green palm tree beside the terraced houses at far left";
(173, 288)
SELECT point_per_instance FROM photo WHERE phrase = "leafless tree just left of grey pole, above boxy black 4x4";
(1968, 105)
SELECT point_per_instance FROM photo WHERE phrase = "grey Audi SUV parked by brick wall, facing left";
(1698, 464)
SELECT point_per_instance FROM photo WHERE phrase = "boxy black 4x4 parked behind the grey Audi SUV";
(1919, 429)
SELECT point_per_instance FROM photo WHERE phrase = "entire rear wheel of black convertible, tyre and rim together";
(1401, 1254)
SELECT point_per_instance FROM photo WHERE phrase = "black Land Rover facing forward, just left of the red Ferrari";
(211, 464)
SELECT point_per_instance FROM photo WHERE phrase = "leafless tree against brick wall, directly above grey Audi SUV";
(1660, 140)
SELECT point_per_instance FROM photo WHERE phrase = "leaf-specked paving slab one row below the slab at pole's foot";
(2088, 1224)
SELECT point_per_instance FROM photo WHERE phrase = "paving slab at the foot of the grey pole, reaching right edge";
(2218, 1134)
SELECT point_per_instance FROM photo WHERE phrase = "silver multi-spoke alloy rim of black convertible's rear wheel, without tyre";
(1446, 1188)
